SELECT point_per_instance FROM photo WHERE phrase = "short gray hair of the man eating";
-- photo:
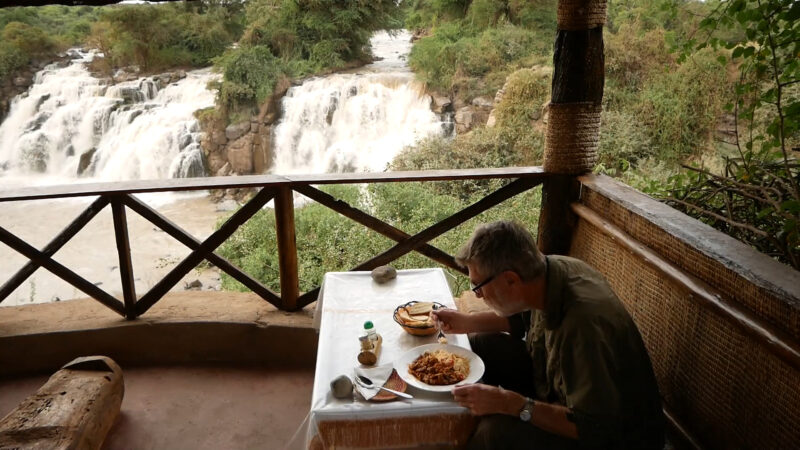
(504, 245)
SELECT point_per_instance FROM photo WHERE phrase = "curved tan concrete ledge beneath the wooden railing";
(184, 327)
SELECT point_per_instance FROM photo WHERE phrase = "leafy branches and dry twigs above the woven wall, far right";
(756, 198)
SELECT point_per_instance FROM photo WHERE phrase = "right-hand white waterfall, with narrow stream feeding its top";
(355, 122)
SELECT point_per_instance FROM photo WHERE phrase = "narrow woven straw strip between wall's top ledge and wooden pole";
(762, 303)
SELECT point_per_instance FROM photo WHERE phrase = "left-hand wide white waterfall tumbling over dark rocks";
(70, 124)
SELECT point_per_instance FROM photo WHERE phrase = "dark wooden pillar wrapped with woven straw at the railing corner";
(573, 124)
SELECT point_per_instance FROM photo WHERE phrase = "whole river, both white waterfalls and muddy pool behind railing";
(144, 129)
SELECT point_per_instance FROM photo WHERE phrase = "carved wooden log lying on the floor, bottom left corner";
(73, 410)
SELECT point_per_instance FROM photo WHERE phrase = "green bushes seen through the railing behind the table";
(329, 242)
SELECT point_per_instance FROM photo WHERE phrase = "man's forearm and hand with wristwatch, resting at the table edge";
(484, 399)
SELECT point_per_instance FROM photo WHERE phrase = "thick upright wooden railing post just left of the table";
(287, 248)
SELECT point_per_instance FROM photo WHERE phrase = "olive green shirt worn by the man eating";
(589, 356)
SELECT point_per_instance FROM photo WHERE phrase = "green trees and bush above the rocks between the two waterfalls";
(294, 38)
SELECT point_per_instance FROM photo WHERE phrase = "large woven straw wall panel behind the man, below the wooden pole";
(728, 389)
